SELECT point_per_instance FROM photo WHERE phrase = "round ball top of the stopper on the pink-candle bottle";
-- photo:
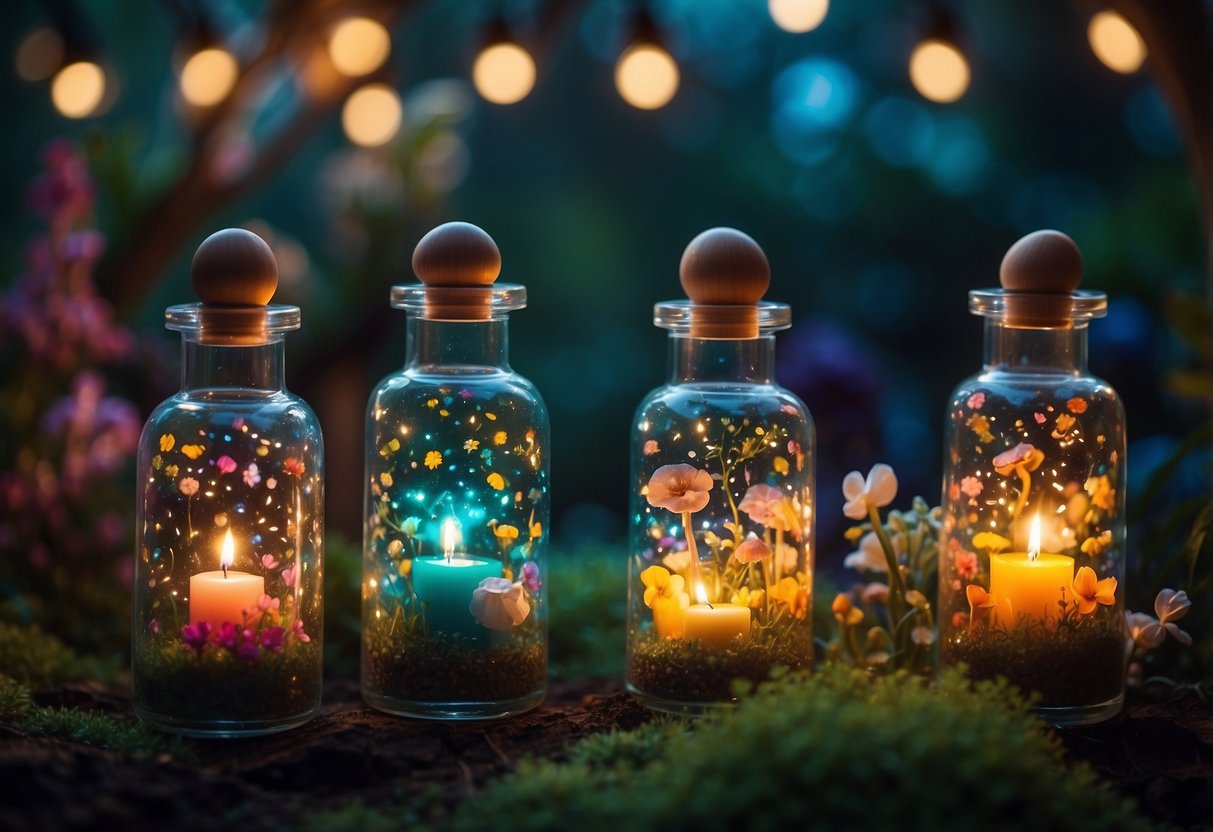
(235, 267)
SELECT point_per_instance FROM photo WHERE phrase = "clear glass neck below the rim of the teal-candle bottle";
(440, 346)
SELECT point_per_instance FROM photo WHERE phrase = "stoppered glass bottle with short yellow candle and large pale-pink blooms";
(722, 494)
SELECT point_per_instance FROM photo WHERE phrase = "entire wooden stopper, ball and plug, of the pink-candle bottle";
(235, 275)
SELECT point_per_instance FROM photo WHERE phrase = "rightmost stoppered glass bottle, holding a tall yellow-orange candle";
(1033, 546)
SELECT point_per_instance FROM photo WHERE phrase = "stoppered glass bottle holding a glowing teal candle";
(454, 552)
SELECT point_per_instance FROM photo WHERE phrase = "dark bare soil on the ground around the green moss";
(1159, 753)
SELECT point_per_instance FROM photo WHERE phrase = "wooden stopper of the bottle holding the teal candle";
(458, 261)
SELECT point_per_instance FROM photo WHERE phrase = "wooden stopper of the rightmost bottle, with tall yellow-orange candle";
(1040, 275)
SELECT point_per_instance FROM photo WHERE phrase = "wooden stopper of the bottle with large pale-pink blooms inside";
(725, 273)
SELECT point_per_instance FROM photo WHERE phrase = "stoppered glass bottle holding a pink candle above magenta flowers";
(230, 516)
